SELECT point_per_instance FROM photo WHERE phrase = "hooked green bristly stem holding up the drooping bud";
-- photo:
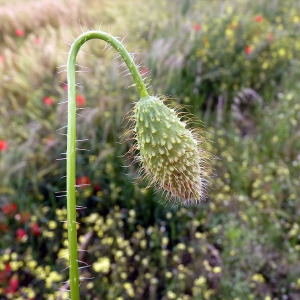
(71, 140)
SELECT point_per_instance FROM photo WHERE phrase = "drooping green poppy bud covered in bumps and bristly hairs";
(169, 152)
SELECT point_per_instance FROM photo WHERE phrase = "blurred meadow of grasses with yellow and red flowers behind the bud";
(232, 63)
